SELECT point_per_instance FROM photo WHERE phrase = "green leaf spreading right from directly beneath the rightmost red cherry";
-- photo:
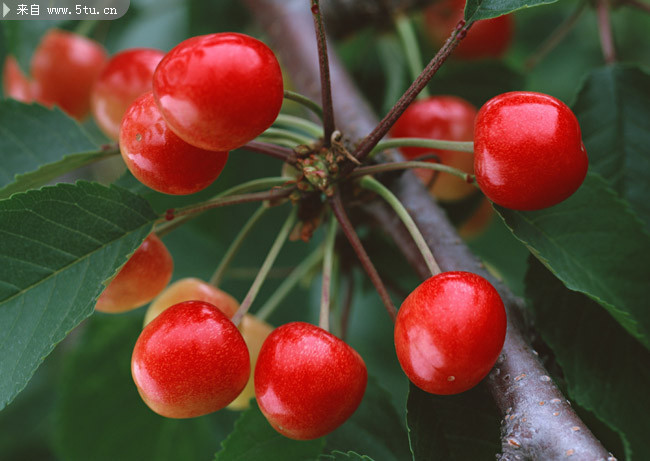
(595, 244)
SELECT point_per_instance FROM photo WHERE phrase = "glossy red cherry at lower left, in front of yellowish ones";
(189, 361)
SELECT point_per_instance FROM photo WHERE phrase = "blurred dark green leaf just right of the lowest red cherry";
(374, 429)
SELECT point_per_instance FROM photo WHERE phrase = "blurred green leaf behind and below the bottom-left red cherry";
(100, 415)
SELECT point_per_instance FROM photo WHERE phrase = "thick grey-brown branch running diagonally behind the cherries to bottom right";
(518, 382)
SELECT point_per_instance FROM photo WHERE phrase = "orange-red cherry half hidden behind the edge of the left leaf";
(143, 276)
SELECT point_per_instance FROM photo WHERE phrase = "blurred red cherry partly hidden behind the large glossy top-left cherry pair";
(127, 75)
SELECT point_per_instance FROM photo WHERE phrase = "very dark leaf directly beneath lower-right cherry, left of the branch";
(453, 427)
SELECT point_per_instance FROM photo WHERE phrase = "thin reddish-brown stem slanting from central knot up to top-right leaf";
(370, 141)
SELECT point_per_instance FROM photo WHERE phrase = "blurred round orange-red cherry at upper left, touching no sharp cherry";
(64, 67)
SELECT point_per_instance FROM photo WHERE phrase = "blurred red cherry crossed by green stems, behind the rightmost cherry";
(447, 118)
